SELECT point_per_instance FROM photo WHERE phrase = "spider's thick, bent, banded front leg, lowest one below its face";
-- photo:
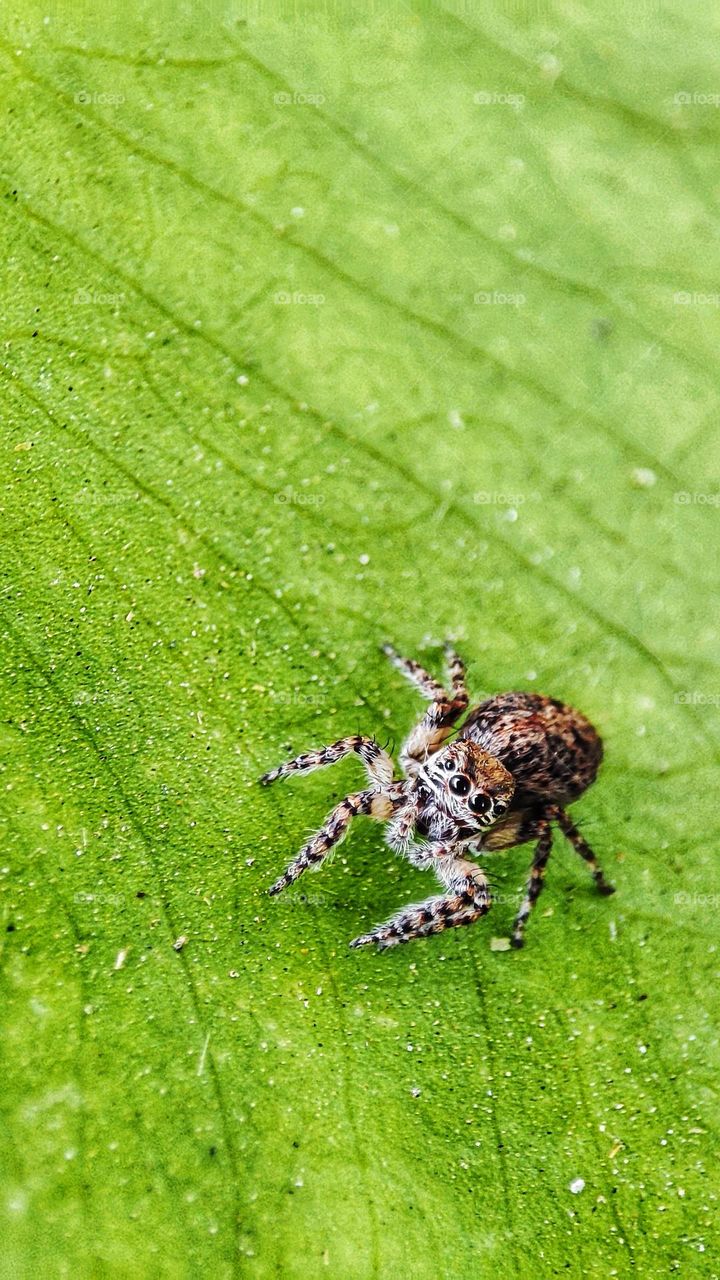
(466, 902)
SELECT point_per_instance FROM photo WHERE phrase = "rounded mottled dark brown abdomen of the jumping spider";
(552, 751)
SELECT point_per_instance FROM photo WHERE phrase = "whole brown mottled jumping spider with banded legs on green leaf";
(504, 780)
